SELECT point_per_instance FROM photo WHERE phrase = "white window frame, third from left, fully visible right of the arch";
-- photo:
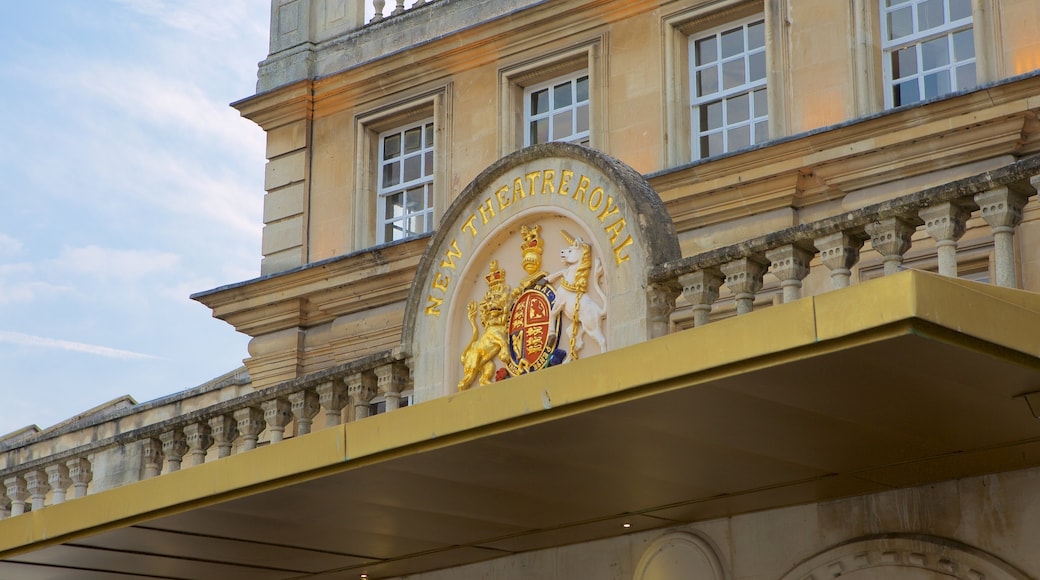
(759, 119)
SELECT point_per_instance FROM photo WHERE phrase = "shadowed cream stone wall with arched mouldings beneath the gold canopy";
(980, 528)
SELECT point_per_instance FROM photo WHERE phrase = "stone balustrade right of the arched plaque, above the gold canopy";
(998, 197)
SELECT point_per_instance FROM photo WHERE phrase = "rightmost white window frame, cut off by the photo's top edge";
(917, 40)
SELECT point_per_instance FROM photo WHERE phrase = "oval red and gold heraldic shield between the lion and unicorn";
(533, 338)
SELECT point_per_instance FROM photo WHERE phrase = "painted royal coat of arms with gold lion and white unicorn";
(523, 326)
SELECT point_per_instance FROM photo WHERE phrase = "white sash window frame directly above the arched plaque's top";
(556, 113)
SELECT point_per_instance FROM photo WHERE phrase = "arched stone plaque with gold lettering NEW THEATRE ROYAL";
(541, 260)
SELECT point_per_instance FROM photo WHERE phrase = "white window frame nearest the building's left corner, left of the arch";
(410, 222)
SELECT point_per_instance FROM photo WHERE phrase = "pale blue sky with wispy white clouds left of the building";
(128, 183)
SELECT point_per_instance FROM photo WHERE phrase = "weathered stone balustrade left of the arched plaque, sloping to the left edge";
(235, 426)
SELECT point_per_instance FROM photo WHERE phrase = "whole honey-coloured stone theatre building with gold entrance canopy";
(649, 289)
